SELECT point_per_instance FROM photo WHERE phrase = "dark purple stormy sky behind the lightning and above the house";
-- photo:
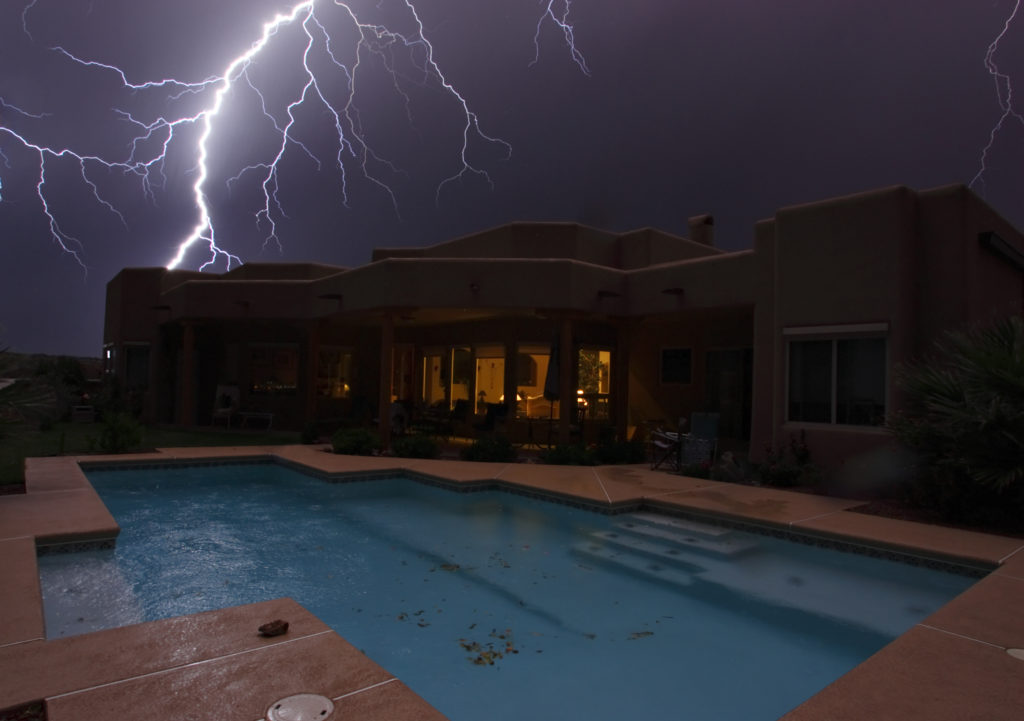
(731, 107)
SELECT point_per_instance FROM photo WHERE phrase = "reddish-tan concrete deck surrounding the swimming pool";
(954, 665)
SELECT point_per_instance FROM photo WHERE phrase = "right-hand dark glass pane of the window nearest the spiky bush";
(861, 381)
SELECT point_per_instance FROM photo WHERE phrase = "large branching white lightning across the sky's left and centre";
(153, 138)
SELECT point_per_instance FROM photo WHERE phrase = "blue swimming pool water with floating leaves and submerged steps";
(493, 606)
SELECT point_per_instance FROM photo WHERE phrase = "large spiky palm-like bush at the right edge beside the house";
(965, 418)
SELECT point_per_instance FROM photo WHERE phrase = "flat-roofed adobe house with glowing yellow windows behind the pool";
(801, 333)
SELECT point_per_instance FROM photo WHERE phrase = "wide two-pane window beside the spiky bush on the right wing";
(841, 380)
